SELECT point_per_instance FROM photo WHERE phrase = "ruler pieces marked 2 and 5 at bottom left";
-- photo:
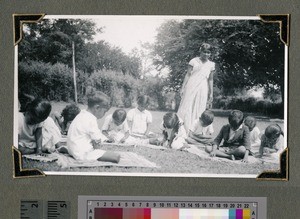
(37, 209)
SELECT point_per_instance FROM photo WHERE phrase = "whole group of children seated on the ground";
(39, 132)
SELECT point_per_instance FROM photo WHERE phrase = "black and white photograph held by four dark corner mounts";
(175, 96)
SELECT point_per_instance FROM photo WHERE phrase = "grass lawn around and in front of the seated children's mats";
(170, 161)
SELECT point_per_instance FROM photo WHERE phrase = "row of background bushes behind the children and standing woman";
(55, 82)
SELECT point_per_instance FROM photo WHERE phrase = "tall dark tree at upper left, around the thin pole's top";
(51, 40)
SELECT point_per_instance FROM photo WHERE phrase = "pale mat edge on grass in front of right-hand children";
(201, 153)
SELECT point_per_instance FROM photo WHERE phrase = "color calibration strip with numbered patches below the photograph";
(117, 207)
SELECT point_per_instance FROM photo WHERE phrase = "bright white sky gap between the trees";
(128, 32)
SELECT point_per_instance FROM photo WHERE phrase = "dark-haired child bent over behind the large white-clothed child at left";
(64, 119)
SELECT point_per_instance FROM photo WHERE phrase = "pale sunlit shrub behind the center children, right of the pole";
(124, 89)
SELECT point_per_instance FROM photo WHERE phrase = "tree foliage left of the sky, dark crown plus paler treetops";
(50, 41)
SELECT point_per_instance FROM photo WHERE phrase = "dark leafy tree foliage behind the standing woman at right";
(248, 53)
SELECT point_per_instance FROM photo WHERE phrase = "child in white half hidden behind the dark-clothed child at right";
(254, 133)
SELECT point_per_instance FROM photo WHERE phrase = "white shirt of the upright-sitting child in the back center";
(140, 120)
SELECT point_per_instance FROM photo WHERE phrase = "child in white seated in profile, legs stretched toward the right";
(84, 130)
